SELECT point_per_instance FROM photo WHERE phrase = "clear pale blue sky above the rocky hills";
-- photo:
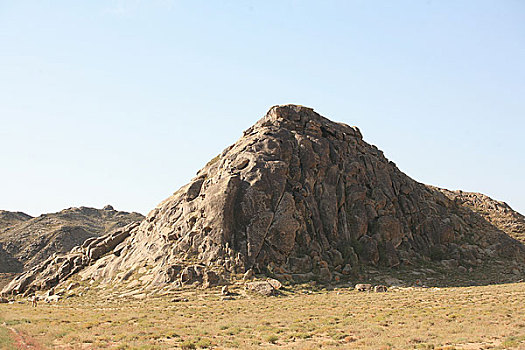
(121, 102)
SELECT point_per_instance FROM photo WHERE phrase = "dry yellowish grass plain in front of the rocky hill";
(421, 318)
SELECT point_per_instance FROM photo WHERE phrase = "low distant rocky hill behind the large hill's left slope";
(26, 241)
